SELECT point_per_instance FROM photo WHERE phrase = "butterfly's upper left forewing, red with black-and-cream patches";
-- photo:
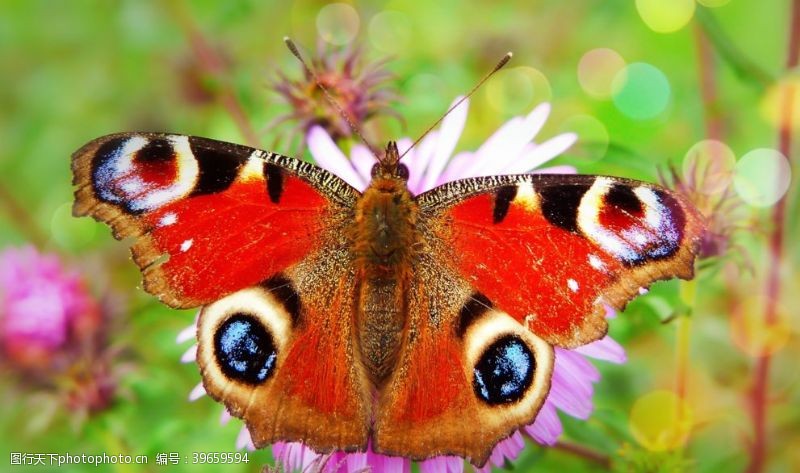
(208, 217)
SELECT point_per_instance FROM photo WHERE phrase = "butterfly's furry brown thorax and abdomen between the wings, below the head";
(385, 238)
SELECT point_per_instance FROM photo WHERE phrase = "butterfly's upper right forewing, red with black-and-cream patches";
(552, 250)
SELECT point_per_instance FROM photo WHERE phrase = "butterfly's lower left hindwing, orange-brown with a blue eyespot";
(279, 355)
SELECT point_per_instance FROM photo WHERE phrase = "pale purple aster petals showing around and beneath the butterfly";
(510, 150)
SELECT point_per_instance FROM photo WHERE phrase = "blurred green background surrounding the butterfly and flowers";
(641, 82)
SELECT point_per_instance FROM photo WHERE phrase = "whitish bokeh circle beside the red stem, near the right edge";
(762, 177)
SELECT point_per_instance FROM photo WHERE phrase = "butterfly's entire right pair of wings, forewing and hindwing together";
(513, 265)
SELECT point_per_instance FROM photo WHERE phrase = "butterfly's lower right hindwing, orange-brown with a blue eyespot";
(468, 376)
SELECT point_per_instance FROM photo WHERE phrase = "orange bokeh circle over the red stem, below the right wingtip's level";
(752, 334)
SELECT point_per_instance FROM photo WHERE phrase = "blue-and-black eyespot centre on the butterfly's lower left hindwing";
(244, 349)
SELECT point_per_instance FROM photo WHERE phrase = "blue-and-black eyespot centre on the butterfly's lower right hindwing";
(504, 371)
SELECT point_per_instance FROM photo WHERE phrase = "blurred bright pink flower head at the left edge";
(44, 309)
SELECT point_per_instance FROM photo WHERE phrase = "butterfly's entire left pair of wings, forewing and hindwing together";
(260, 240)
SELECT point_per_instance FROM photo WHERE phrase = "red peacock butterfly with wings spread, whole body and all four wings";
(420, 325)
